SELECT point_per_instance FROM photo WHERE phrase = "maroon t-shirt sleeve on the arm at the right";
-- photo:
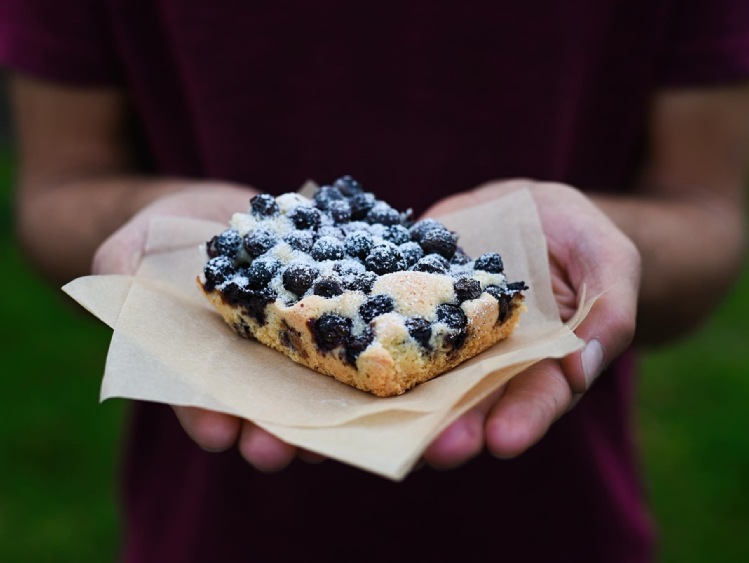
(708, 43)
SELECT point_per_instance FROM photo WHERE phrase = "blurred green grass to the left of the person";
(59, 446)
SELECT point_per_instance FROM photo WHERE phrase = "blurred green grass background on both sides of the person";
(59, 446)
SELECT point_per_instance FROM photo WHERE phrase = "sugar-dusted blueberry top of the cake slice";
(360, 260)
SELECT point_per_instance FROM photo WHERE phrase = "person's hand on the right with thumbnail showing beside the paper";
(585, 249)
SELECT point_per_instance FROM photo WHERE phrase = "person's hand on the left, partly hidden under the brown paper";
(121, 254)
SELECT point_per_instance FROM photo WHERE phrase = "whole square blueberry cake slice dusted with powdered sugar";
(347, 285)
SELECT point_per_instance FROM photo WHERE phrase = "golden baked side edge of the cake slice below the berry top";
(391, 365)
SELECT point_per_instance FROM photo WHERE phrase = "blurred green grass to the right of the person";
(693, 423)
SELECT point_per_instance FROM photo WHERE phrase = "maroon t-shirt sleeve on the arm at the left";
(61, 40)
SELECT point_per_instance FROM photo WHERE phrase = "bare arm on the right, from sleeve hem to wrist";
(687, 215)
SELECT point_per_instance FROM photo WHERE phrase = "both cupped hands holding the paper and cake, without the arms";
(584, 247)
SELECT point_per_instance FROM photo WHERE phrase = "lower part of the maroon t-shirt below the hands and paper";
(573, 498)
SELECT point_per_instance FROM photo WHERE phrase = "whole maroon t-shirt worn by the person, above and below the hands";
(417, 100)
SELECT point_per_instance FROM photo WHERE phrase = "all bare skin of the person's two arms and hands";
(664, 255)
